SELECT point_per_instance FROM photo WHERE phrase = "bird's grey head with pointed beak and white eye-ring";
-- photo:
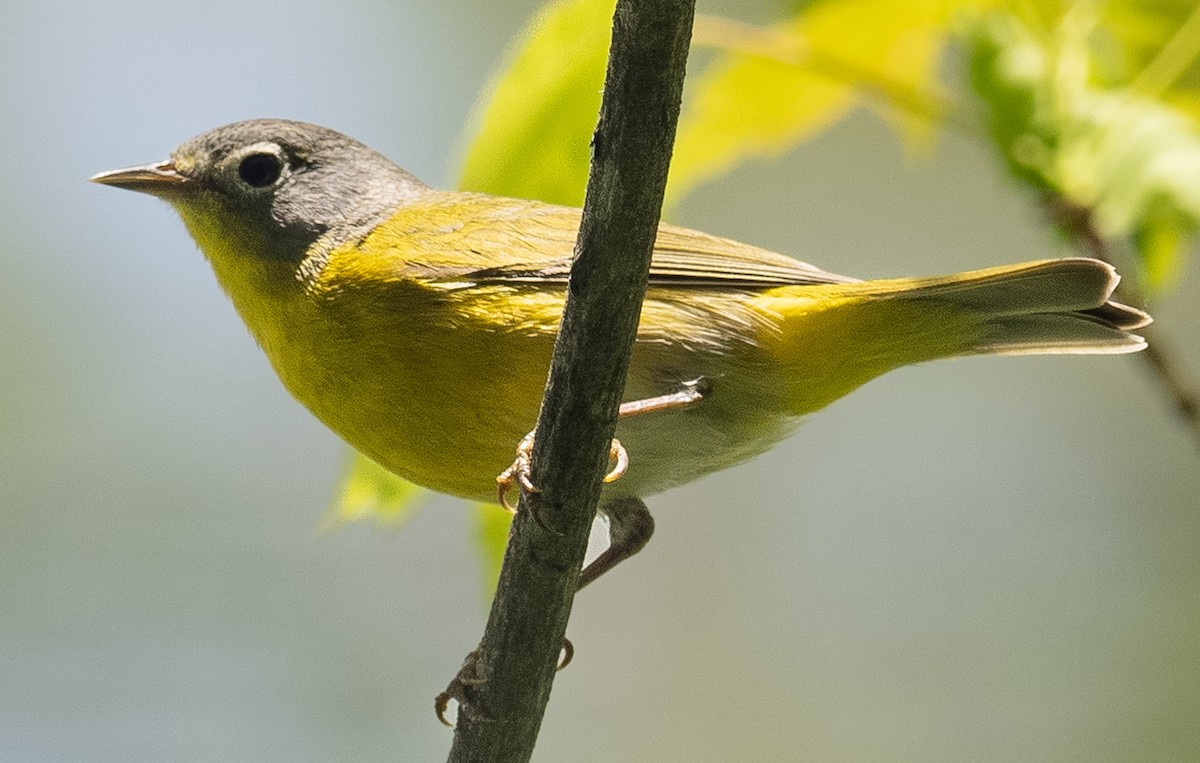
(284, 184)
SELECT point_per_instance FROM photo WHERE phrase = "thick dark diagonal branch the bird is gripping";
(506, 684)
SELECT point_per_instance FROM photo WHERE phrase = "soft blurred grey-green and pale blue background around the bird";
(986, 560)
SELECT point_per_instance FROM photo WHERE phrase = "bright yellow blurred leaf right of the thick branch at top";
(776, 87)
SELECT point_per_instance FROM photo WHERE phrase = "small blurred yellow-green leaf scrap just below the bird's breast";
(370, 491)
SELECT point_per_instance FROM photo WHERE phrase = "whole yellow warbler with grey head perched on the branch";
(418, 325)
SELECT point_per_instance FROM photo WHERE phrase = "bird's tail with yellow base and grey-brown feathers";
(838, 337)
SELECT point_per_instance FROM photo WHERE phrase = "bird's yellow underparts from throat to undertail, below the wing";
(439, 382)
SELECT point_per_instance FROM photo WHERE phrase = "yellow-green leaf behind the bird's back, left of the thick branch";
(539, 115)
